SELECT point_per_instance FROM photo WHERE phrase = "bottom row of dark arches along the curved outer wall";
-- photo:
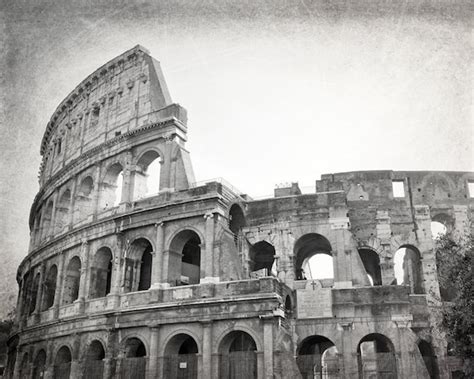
(237, 358)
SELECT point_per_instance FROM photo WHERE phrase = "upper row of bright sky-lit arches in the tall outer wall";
(91, 197)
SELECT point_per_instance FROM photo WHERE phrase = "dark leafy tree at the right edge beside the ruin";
(455, 263)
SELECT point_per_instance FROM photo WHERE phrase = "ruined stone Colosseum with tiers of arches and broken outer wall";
(135, 270)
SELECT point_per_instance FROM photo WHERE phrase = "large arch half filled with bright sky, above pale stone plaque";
(313, 258)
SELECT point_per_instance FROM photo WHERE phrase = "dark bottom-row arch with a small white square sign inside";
(181, 357)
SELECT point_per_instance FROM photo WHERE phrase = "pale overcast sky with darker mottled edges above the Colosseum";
(276, 91)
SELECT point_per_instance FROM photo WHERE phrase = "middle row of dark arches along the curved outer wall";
(136, 273)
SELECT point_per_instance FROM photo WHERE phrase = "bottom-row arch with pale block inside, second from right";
(376, 357)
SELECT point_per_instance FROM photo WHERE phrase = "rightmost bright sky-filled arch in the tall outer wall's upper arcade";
(147, 175)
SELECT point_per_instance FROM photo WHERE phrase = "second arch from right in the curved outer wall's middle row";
(138, 266)
